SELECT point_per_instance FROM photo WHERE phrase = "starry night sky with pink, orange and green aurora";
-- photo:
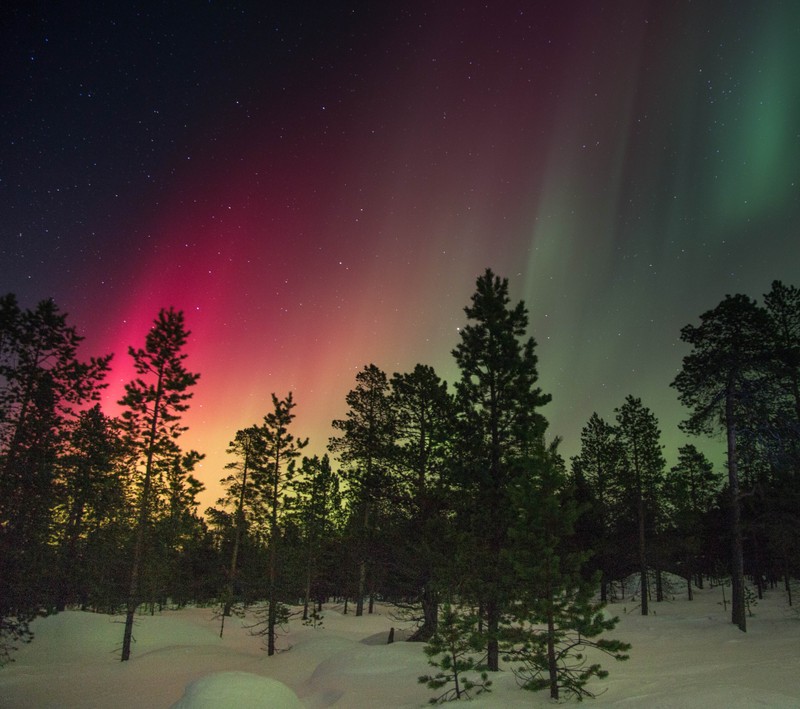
(317, 186)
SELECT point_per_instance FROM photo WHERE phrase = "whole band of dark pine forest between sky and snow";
(448, 500)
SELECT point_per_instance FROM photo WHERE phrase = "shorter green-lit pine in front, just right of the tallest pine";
(556, 618)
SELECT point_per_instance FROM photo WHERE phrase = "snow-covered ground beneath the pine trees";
(686, 654)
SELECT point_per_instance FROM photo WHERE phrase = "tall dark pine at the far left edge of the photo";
(43, 387)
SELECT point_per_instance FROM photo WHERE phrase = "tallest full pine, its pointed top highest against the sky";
(499, 425)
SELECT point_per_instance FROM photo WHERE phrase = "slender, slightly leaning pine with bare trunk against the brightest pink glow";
(153, 403)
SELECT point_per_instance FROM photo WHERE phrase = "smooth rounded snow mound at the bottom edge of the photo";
(242, 690)
